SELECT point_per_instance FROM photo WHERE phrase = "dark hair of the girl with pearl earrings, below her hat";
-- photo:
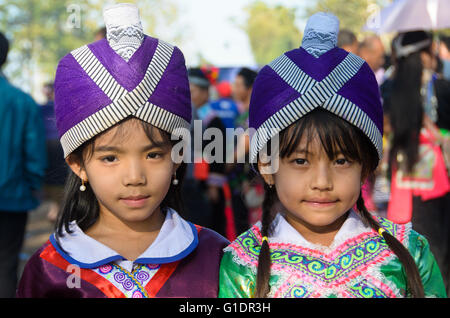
(83, 207)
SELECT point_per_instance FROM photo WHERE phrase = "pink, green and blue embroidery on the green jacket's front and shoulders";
(306, 272)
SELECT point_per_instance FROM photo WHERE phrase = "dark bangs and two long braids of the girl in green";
(335, 135)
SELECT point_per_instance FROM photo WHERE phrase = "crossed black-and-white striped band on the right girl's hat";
(315, 94)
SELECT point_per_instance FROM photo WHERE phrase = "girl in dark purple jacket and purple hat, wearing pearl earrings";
(119, 233)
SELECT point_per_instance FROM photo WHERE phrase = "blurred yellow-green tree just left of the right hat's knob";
(271, 31)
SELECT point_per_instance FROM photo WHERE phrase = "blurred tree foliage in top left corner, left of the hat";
(40, 33)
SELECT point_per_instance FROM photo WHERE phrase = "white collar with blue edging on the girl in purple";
(176, 239)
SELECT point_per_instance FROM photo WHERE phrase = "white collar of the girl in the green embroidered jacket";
(283, 232)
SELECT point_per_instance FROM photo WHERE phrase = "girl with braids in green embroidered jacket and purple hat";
(323, 105)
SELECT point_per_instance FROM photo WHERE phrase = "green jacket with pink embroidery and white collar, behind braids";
(358, 263)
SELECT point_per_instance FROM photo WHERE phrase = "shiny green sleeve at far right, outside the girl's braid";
(432, 280)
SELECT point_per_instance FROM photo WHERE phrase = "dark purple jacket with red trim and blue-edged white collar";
(183, 261)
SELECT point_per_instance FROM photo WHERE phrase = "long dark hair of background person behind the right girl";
(405, 103)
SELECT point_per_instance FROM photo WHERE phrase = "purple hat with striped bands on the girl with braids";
(318, 74)
